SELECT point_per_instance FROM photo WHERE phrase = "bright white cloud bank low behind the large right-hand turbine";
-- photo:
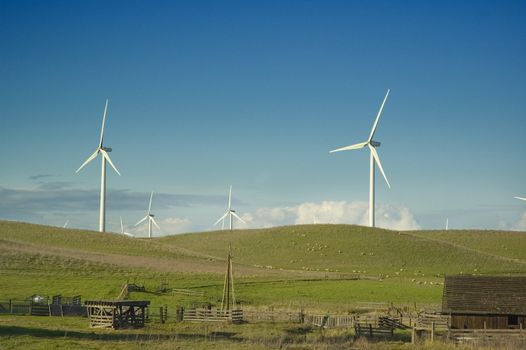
(333, 212)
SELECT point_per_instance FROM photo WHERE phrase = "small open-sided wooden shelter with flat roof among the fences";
(117, 314)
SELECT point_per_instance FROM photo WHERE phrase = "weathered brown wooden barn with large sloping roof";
(492, 302)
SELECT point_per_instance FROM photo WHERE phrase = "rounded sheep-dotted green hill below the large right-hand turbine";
(365, 251)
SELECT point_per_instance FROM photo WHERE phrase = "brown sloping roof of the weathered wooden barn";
(484, 295)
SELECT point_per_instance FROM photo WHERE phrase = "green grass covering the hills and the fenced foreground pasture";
(322, 268)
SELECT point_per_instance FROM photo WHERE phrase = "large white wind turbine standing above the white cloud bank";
(372, 145)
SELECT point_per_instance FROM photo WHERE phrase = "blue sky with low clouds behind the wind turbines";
(204, 94)
